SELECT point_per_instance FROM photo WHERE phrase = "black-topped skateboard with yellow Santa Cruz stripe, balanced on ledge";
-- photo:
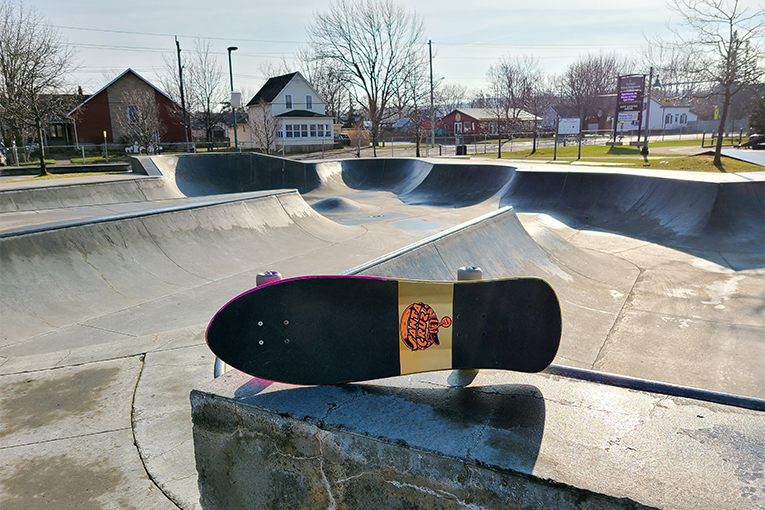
(339, 329)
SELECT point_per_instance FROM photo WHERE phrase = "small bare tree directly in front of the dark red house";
(139, 120)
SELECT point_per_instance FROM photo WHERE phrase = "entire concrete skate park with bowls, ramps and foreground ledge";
(660, 276)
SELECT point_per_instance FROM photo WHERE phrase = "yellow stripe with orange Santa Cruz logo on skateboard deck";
(427, 355)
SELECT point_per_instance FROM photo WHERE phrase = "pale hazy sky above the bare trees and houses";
(467, 36)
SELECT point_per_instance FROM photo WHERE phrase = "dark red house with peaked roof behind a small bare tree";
(98, 113)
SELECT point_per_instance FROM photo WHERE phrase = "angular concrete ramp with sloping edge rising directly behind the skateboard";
(592, 287)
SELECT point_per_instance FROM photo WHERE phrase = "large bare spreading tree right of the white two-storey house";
(372, 41)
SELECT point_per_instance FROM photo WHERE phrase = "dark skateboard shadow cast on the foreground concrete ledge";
(500, 425)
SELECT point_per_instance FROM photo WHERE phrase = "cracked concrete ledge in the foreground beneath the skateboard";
(508, 440)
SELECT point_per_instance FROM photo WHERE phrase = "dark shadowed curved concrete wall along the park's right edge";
(678, 212)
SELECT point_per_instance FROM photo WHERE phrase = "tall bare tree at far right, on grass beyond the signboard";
(726, 42)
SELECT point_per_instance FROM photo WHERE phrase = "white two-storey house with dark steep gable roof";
(288, 113)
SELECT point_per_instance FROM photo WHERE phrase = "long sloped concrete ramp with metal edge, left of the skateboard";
(57, 280)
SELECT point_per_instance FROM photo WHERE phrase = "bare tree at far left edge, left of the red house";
(34, 61)
